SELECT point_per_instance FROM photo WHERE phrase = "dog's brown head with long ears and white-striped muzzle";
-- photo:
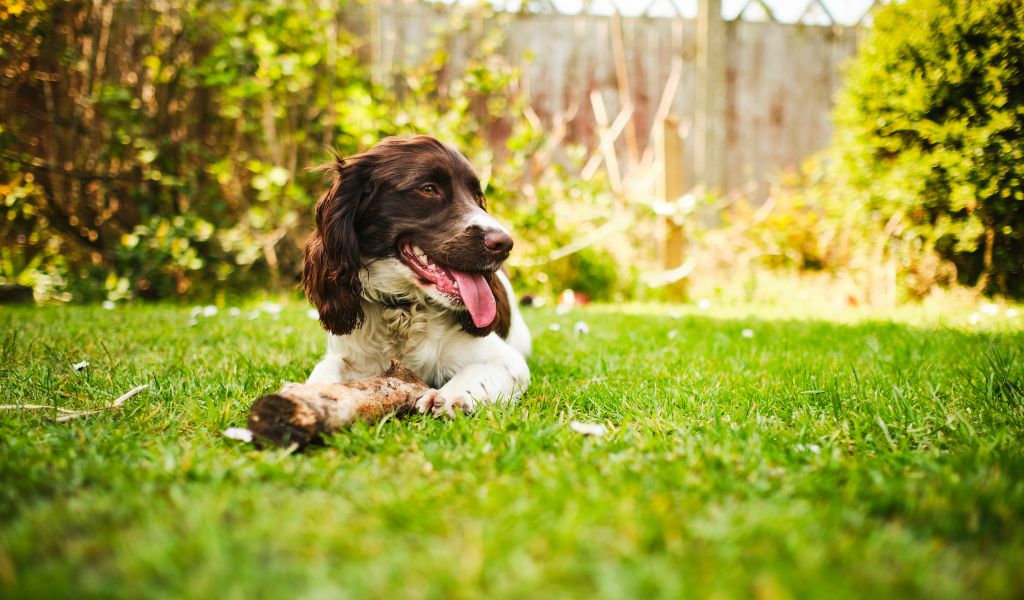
(406, 222)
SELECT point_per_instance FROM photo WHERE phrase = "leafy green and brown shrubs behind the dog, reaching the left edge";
(169, 153)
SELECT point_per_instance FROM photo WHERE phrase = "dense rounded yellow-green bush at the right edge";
(929, 136)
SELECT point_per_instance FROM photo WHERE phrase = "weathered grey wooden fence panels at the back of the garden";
(752, 99)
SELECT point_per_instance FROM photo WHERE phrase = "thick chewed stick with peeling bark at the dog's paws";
(301, 413)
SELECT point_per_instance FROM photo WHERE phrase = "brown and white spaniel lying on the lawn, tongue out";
(406, 263)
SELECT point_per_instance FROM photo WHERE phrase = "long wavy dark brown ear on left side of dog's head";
(331, 270)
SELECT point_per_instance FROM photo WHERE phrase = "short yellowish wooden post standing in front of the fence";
(671, 187)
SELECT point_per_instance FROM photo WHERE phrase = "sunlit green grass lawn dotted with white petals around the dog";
(854, 457)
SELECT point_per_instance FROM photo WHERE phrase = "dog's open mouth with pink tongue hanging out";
(468, 288)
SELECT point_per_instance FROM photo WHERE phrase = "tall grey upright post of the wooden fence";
(710, 122)
